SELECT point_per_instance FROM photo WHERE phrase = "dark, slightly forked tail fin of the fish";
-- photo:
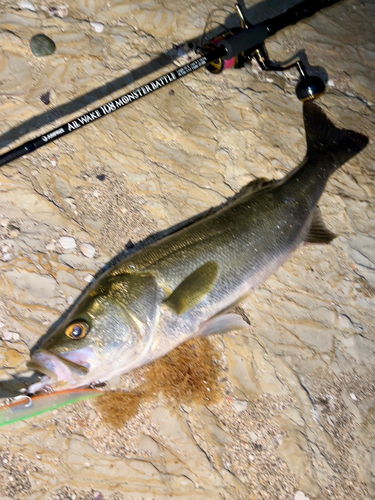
(325, 140)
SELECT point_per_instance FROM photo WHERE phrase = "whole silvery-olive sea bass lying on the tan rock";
(184, 285)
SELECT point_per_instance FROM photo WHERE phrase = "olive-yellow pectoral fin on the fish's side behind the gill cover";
(194, 288)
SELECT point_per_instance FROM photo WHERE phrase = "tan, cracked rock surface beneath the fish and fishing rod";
(296, 418)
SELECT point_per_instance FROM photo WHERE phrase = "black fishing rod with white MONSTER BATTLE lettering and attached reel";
(233, 48)
